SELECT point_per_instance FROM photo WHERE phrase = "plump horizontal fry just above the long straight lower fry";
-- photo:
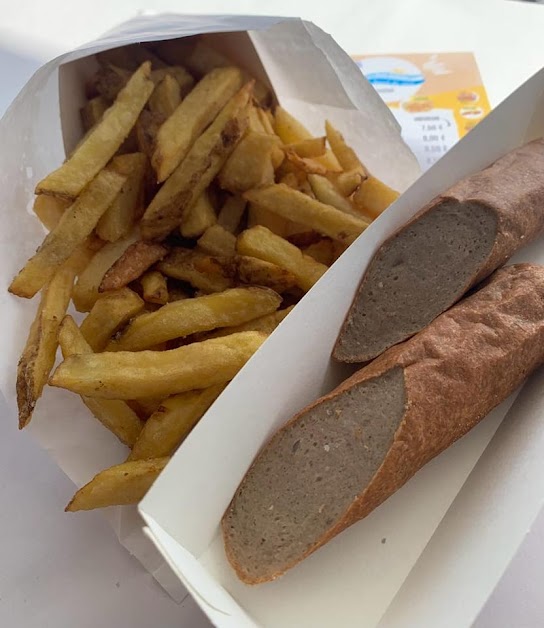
(190, 316)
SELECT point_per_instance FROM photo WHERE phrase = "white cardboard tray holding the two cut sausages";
(354, 579)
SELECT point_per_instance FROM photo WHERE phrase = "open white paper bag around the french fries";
(311, 76)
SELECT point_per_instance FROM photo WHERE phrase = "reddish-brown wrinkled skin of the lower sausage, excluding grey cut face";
(455, 372)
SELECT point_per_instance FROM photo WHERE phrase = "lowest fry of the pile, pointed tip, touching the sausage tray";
(121, 485)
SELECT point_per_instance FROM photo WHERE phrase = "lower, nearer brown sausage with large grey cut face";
(343, 455)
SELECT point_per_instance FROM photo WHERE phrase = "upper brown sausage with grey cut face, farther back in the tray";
(453, 243)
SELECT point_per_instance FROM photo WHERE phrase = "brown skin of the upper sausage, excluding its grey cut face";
(512, 188)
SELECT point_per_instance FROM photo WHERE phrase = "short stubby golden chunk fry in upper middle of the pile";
(250, 163)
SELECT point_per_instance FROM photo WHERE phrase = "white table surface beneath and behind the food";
(59, 570)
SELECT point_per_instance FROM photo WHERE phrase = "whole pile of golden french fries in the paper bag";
(191, 217)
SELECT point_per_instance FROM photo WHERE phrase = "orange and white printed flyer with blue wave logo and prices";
(436, 97)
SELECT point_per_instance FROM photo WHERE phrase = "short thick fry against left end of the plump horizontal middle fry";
(108, 315)
